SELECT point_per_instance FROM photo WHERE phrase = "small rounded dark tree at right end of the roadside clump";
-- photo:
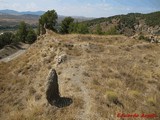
(31, 36)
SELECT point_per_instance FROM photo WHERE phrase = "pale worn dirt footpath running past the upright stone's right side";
(78, 81)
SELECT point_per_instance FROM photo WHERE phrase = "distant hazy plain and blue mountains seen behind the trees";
(11, 18)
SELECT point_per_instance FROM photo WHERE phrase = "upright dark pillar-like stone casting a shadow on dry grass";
(52, 92)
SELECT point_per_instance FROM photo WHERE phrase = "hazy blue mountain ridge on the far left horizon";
(13, 12)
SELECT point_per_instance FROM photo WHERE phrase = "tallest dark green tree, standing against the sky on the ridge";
(48, 20)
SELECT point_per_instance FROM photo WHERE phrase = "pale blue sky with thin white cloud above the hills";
(86, 8)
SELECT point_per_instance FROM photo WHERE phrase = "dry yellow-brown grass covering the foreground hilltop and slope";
(104, 75)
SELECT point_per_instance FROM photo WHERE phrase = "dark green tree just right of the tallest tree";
(66, 24)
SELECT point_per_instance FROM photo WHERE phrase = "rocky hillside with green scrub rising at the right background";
(130, 24)
